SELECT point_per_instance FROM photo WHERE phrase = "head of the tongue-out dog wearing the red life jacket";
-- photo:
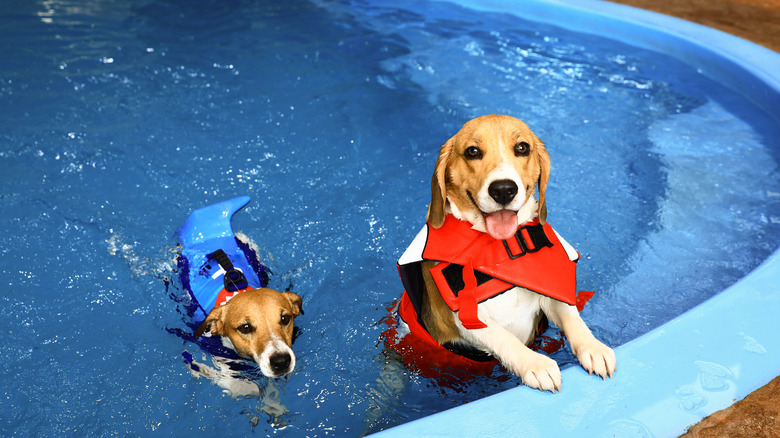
(487, 174)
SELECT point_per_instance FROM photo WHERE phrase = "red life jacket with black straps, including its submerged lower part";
(473, 268)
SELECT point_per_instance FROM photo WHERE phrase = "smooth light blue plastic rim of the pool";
(700, 362)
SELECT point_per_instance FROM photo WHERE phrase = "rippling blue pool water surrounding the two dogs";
(119, 118)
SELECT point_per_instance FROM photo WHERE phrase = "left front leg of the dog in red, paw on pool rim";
(535, 370)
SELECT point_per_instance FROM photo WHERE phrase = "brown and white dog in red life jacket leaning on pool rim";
(488, 266)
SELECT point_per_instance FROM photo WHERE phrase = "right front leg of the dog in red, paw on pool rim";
(593, 355)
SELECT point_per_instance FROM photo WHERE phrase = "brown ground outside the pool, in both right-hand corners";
(758, 414)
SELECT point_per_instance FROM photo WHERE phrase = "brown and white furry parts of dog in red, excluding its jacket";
(487, 174)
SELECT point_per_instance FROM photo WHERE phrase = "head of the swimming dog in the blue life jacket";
(258, 324)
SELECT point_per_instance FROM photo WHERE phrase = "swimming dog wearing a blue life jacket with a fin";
(253, 327)
